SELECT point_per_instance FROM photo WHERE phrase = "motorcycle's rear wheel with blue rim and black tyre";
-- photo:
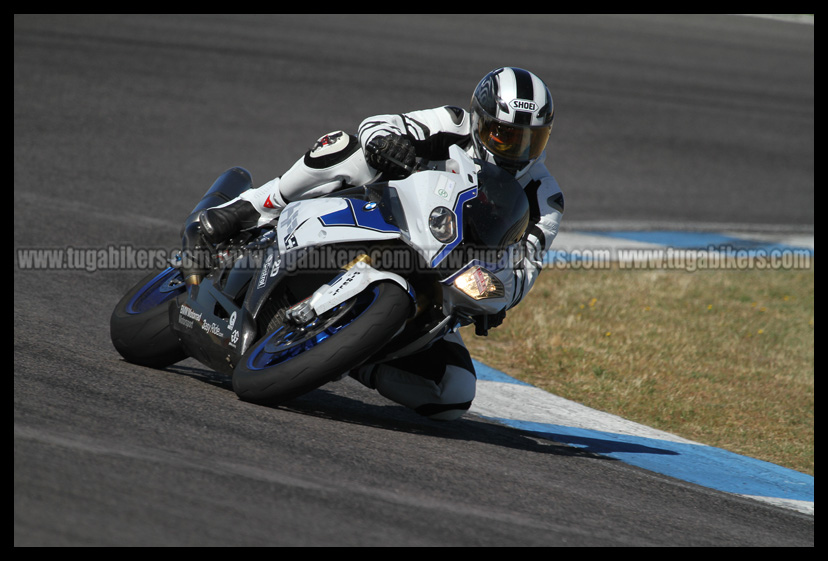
(140, 323)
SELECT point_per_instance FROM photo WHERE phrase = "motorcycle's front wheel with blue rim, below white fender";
(290, 361)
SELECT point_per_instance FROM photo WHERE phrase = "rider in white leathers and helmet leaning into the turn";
(508, 124)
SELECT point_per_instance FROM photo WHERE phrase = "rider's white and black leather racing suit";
(438, 382)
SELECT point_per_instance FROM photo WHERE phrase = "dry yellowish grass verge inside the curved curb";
(722, 357)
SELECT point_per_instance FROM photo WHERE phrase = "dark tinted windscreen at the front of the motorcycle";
(499, 215)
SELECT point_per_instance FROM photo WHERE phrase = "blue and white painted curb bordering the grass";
(513, 403)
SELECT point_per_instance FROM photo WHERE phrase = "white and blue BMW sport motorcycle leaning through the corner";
(365, 275)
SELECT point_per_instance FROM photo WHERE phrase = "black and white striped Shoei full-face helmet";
(511, 118)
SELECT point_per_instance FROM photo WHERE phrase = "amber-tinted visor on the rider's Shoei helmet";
(512, 142)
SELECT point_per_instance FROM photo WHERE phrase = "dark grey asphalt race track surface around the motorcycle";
(122, 122)
